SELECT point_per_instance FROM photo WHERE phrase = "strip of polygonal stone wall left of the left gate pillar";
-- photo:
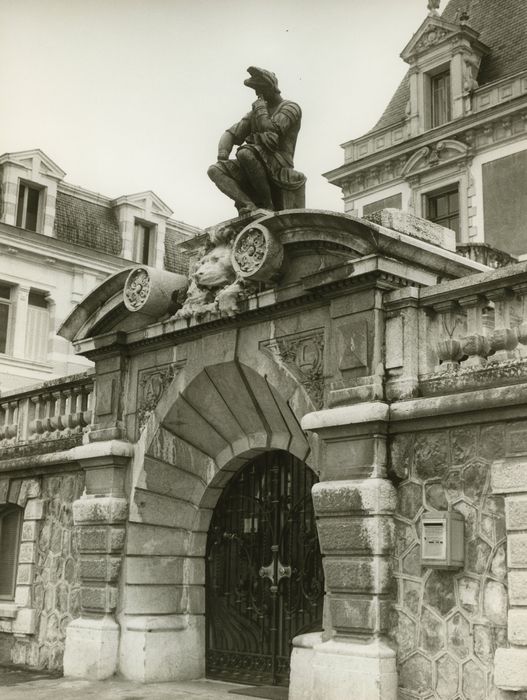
(56, 581)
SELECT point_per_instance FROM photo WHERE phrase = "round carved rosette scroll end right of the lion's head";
(256, 254)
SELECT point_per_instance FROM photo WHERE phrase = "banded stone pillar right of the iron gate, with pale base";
(354, 503)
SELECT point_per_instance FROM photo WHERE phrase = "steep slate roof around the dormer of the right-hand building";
(503, 27)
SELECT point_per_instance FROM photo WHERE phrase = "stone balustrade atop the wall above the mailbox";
(470, 333)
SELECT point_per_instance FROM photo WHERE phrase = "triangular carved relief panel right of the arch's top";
(302, 354)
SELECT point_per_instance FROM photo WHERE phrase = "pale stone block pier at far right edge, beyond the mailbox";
(509, 477)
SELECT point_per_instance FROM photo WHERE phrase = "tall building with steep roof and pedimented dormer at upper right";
(451, 145)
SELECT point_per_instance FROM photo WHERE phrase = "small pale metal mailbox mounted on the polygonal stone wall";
(443, 539)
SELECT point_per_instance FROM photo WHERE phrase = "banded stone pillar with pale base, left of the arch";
(92, 641)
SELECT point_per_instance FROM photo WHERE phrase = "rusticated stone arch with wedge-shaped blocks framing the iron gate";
(190, 449)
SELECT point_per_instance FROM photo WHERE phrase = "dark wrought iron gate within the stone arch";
(265, 581)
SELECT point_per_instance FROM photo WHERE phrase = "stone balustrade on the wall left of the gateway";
(57, 409)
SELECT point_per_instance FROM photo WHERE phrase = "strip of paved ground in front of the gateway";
(20, 684)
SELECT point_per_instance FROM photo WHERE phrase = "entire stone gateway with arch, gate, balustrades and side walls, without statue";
(278, 467)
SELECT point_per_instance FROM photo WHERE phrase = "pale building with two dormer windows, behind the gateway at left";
(58, 242)
